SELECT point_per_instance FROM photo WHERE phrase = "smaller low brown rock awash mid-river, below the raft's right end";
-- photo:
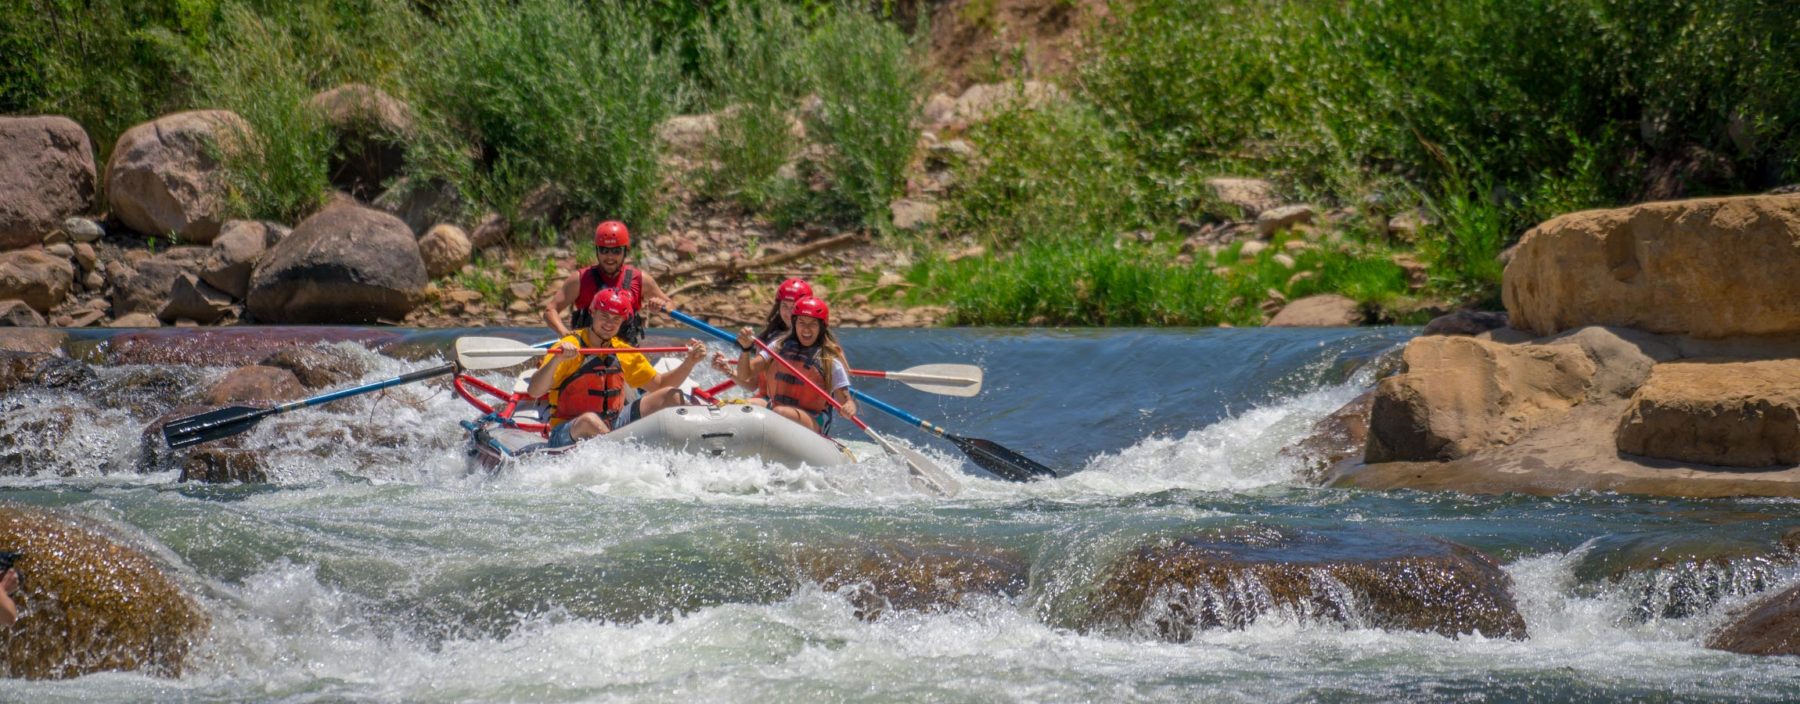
(885, 575)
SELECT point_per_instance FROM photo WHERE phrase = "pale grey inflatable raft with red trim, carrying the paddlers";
(516, 431)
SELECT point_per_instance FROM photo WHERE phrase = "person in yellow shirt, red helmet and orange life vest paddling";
(588, 392)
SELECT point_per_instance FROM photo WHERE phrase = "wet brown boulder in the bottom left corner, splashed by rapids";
(91, 604)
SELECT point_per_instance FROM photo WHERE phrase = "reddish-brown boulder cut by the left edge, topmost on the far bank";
(46, 176)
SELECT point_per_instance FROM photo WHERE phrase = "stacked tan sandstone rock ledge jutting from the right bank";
(1666, 363)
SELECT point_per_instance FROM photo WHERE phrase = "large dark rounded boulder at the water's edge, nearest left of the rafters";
(346, 264)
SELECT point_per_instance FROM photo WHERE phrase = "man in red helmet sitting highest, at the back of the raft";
(613, 242)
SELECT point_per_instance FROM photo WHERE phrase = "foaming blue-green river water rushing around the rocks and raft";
(375, 568)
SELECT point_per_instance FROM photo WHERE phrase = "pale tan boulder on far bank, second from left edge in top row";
(165, 176)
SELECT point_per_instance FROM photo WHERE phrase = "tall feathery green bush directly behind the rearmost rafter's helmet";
(546, 93)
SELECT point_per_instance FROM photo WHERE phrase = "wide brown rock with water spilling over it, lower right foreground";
(1228, 579)
